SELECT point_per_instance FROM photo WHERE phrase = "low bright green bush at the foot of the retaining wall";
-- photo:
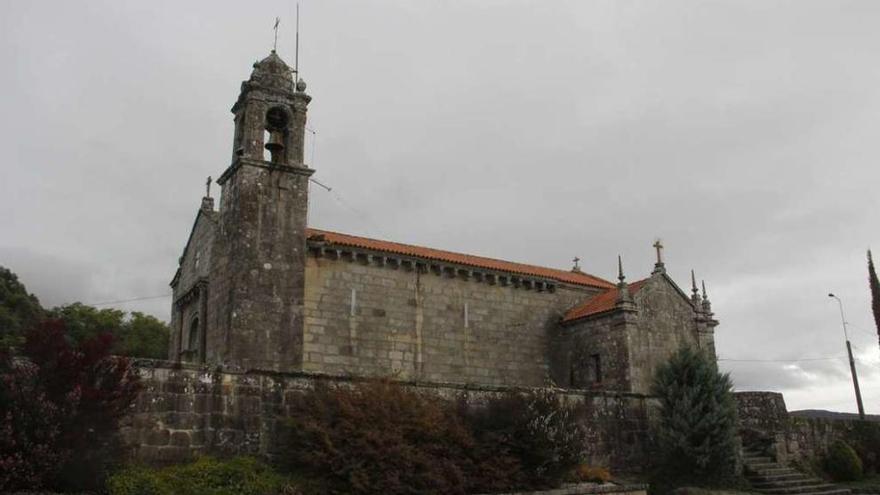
(205, 476)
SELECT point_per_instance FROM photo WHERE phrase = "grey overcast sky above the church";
(742, 133)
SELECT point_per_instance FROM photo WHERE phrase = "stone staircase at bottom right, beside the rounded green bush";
(767, 476)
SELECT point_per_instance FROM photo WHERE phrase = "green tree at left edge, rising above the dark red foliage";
(19, 310)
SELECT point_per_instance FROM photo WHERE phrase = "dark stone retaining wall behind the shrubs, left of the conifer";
(185, 410)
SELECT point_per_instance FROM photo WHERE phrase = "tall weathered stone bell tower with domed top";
(255, 303)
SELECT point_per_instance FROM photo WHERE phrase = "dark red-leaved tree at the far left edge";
(60, 404)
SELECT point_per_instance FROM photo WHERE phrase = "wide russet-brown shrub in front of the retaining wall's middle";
(378, 437)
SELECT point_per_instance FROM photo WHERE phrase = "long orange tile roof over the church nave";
(457, 258)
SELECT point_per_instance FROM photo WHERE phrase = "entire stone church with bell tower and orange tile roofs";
(259, 289)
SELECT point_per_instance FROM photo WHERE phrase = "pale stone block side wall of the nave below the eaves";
(366, 319)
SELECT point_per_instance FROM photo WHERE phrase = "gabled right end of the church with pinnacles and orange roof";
(616, 339)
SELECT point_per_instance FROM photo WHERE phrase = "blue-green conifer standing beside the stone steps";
(695, 431)
